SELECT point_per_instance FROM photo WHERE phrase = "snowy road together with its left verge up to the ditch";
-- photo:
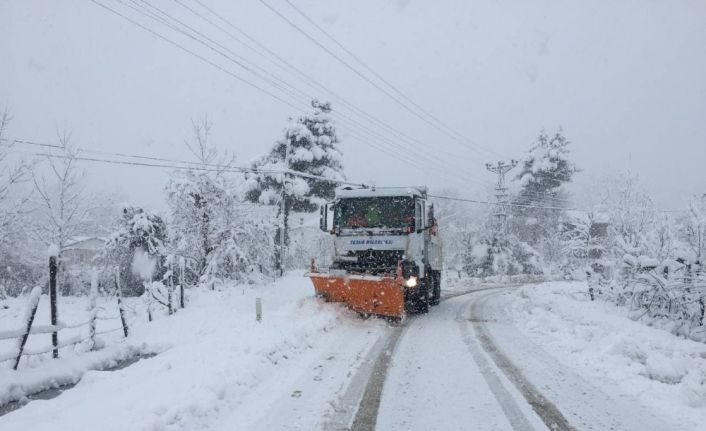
(309, 365)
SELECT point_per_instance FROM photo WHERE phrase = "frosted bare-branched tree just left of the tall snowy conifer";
(220, 236)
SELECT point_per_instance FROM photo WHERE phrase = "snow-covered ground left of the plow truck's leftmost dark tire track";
(216, 367)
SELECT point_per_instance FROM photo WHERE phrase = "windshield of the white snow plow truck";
(395, 212)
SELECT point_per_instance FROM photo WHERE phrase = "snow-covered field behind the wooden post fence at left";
(38, 372)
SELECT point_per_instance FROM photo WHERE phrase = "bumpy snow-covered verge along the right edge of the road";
(620, 355)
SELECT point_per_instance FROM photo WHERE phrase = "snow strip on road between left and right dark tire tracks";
(440, 380)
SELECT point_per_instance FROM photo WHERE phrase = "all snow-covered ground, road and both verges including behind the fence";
(307, 363)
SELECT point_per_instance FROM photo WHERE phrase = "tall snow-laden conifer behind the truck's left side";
(309, 146)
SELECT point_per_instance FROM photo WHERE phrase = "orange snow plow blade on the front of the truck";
(382, 296)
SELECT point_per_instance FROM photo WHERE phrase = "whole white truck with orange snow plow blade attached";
(387, 251)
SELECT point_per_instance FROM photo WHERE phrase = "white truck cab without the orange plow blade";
(376, 229)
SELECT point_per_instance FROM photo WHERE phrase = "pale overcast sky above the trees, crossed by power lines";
(626, 80)
